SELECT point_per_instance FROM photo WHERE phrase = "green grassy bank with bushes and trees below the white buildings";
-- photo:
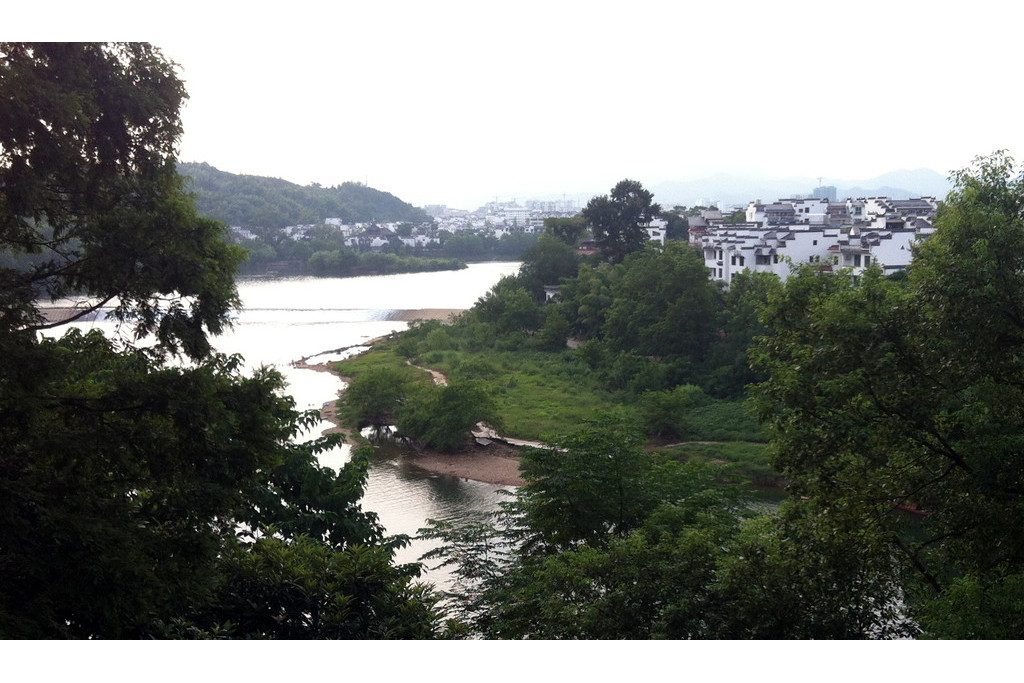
(686, 396)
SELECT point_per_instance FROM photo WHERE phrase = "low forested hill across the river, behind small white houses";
(252, 201)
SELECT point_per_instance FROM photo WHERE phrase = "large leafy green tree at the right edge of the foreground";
(884, 394)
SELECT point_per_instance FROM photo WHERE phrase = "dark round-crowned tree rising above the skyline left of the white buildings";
(619, 222)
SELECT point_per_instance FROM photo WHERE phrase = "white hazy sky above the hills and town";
(459, 103)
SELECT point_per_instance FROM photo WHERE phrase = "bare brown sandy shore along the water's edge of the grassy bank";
(496, 463)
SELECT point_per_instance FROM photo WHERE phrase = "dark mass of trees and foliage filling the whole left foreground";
(147, 492)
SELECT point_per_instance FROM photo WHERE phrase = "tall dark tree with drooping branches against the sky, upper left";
(89, 136)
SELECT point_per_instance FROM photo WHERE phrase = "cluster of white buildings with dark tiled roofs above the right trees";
(855, 234)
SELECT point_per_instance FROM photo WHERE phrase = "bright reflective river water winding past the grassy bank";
(287, 319)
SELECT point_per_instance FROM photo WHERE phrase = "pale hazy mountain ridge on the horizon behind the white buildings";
(732, 190)
